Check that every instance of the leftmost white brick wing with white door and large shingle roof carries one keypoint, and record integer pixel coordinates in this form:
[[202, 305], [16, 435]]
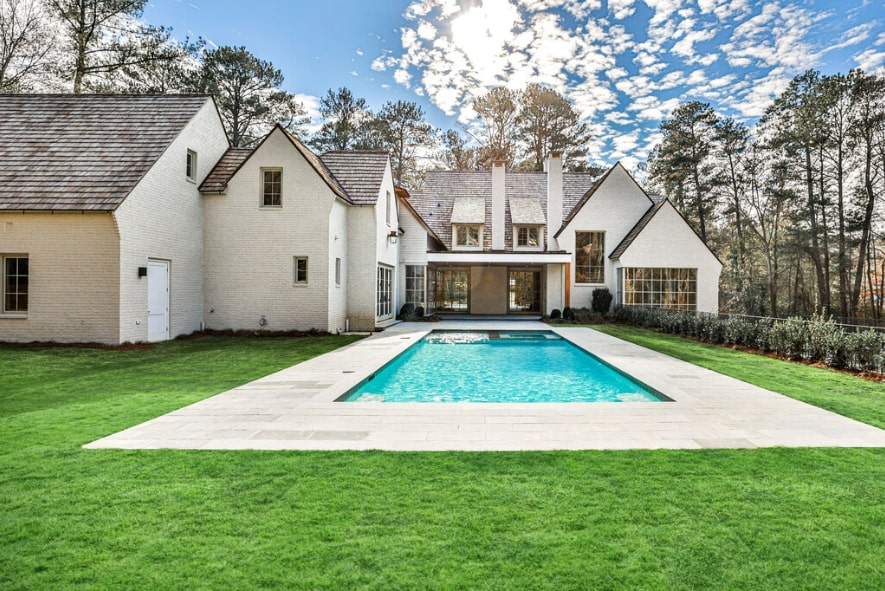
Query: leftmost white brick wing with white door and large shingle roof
[[99, 210]]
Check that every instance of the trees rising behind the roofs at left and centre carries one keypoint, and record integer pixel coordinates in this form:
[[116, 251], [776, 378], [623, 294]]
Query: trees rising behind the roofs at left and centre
[[101, 46]]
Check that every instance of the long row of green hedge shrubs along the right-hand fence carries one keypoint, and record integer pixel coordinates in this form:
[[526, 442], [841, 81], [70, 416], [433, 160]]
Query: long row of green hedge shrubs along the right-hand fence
[[815, 340]]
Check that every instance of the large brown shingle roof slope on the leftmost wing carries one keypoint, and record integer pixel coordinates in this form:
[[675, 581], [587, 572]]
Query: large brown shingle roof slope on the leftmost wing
[[84, 152]]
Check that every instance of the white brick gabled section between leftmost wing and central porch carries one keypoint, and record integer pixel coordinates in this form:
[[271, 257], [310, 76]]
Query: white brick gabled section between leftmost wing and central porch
[[294, 241]]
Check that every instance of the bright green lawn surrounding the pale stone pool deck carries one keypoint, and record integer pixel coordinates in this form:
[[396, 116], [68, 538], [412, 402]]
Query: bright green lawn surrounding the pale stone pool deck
[[106, 519]]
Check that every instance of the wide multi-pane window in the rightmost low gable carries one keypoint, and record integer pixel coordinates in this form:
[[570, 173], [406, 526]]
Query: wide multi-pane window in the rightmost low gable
[[676, 289]]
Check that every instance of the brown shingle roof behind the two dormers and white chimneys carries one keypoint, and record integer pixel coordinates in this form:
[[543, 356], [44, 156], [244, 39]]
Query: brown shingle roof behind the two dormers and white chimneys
[[434, 201]]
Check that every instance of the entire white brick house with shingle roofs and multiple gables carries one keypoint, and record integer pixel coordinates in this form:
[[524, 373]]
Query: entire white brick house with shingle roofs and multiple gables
[[130, 218]]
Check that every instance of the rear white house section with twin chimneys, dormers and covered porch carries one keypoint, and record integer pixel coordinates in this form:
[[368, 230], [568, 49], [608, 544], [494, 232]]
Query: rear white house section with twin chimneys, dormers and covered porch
[[528, 243]]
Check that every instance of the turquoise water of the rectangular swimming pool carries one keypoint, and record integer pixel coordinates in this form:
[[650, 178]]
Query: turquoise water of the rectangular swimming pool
[[513, 366]]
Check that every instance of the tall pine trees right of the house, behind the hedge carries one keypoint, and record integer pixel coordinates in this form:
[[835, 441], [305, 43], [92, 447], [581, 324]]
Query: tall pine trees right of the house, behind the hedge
[[792, 206]]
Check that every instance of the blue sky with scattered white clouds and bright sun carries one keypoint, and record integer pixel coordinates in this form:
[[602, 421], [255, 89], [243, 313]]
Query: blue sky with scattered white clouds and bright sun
[[625, 64]]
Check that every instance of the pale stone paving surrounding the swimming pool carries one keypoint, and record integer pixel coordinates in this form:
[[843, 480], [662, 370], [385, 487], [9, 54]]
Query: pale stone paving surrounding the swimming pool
[[295, 409]]
